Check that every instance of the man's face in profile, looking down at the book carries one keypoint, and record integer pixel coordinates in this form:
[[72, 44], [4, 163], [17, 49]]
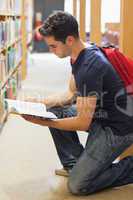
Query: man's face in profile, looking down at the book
[[57, 47]]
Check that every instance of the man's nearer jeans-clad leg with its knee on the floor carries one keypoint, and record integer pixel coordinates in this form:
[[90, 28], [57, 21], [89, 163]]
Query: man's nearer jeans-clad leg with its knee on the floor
[[94, 170]]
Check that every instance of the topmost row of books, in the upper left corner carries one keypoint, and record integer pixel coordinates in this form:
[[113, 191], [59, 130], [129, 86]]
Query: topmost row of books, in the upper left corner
[[11, 6]]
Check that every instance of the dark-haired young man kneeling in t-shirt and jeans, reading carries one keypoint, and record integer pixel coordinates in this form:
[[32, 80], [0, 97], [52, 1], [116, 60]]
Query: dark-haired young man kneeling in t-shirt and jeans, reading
[[100, 109]]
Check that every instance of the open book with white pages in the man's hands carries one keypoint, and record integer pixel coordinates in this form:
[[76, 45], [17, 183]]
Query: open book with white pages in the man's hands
[[28, 108]]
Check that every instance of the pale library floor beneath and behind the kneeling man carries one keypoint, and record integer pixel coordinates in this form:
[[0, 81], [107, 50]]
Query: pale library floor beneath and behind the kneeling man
[[27, 154]]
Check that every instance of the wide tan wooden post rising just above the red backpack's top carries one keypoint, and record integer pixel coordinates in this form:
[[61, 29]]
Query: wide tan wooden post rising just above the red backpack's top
[[95, 25]]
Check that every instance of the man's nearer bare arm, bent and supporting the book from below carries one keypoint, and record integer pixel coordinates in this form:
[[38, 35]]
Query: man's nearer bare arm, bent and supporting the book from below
[[85, 111]]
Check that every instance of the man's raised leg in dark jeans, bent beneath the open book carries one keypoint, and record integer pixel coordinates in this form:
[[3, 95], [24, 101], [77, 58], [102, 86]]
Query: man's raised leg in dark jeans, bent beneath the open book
[[67, 143]]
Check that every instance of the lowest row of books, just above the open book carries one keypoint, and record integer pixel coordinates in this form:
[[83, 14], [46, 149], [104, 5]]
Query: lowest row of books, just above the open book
[[9, 91]]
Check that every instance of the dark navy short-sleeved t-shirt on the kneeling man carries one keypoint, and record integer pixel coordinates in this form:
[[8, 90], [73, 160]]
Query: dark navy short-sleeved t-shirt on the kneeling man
[[94, 75]]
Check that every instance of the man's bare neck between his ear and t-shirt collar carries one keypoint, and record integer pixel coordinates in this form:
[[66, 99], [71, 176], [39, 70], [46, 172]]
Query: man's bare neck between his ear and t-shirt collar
[[77, 48]]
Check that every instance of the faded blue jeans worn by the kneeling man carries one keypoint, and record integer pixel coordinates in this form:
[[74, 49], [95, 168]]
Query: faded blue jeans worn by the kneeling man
[[92, 167]]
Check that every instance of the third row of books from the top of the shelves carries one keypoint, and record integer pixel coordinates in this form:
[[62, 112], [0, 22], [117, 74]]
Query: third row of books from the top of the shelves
[[9, 61]]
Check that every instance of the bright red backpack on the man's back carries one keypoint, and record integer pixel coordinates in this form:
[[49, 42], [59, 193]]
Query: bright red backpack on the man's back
[[122, 64]]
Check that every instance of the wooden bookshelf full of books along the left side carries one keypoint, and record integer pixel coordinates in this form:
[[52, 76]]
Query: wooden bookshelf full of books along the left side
[[13, 48]]
